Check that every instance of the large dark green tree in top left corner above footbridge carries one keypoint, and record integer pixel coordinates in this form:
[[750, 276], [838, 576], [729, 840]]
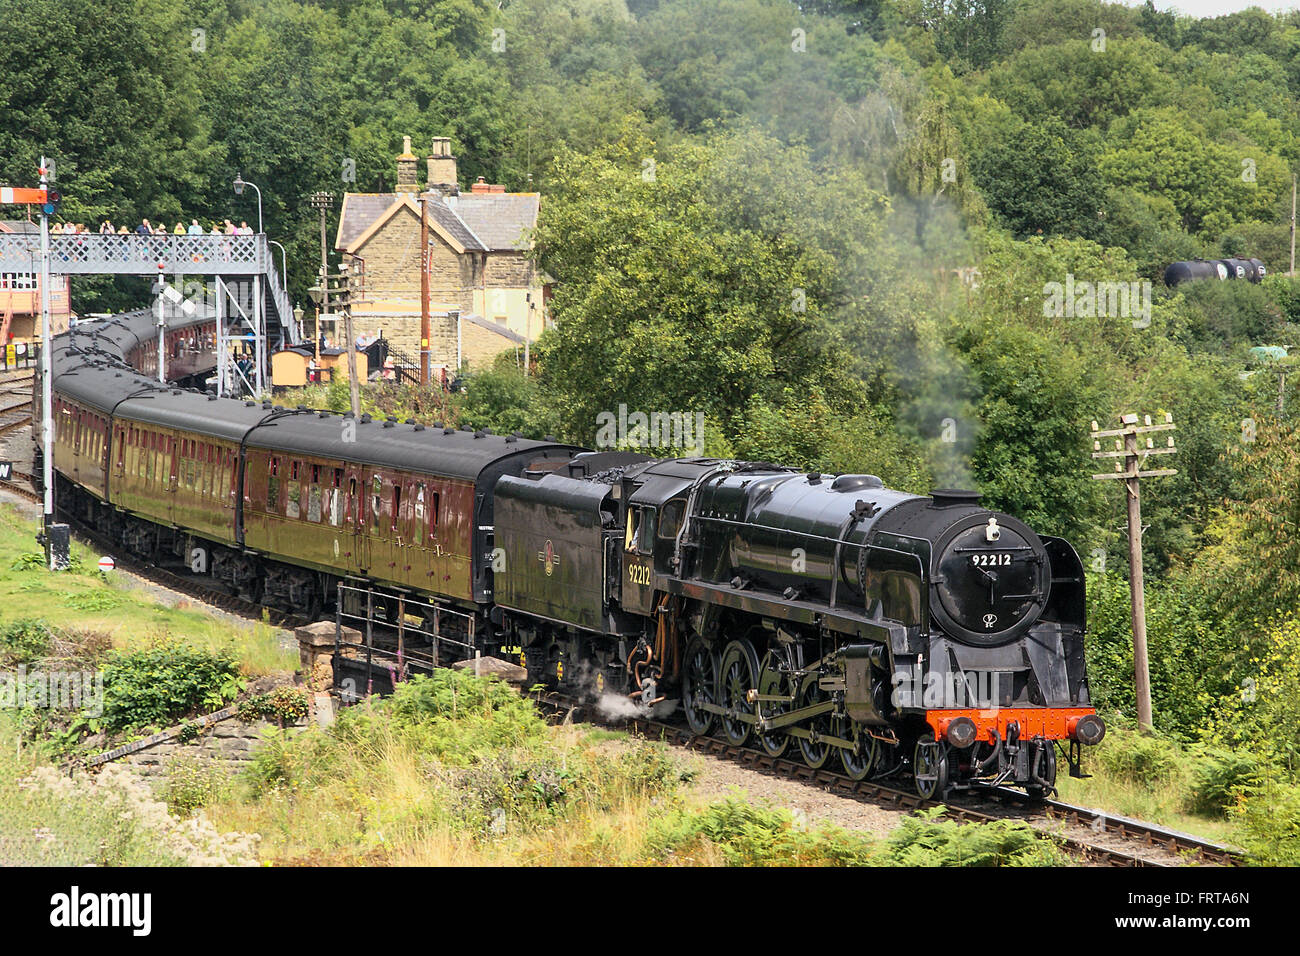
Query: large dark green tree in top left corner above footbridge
[[125, 140]]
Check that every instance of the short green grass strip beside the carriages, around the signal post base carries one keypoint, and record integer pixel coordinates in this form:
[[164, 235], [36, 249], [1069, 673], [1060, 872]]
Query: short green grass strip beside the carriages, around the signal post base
[[85, 599]]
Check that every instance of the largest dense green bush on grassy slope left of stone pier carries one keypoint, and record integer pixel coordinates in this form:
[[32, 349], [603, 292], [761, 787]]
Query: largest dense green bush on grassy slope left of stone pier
[[159, 686]]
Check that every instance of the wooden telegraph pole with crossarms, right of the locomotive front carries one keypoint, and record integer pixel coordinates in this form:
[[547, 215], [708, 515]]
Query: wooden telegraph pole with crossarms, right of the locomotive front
[[1129, 442]]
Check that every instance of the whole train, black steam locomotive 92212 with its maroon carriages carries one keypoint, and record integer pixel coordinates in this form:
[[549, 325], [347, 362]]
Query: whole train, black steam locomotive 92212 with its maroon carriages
[[816, 615]]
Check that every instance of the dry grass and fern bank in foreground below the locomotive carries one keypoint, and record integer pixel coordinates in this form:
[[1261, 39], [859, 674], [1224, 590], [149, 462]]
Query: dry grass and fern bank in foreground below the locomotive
[[458, 771]]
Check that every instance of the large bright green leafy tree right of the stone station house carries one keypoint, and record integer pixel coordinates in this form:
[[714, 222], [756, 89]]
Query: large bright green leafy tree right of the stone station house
[[699, 280]]
